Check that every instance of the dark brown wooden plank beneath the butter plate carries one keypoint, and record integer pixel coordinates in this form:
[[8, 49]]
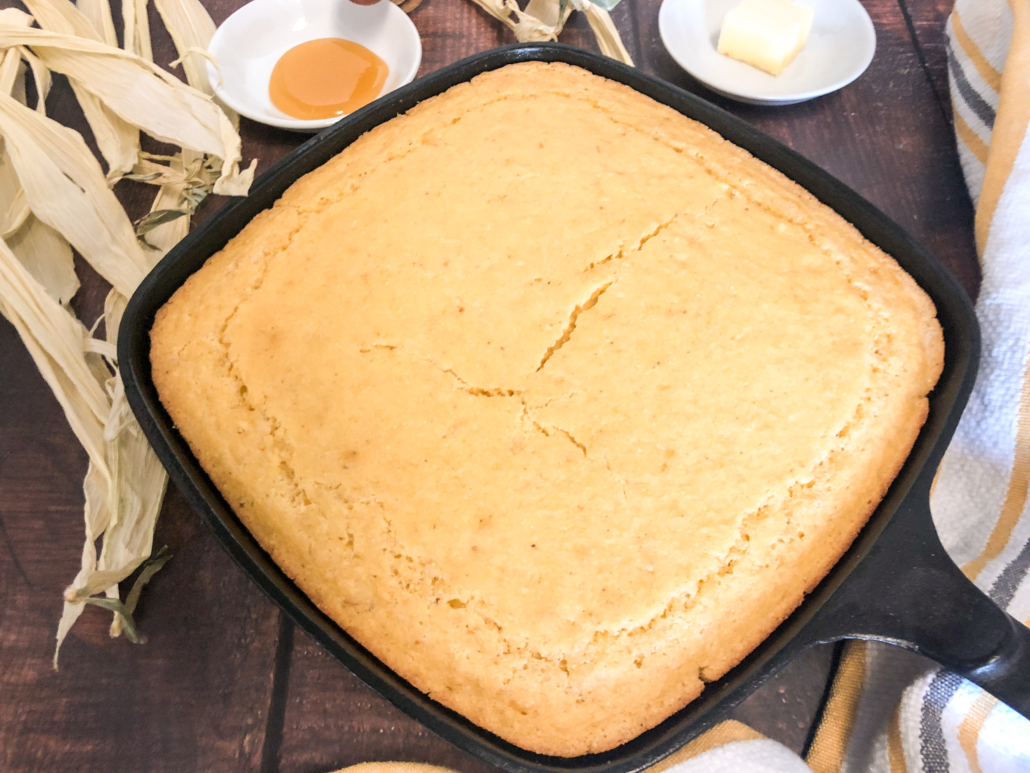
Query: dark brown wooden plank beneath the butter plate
[[884, 136]]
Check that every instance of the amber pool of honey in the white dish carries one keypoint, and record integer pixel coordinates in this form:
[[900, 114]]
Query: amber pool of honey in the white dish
[[326, 78]]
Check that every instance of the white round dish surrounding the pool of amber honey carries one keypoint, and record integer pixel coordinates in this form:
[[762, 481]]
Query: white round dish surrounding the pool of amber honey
[[251, 42]]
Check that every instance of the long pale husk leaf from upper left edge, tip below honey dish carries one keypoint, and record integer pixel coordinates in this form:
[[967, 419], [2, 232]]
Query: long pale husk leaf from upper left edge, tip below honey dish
[[163, 107]]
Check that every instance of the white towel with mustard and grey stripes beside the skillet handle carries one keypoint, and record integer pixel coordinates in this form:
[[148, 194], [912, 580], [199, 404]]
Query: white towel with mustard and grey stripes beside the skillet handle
[[891, 712]]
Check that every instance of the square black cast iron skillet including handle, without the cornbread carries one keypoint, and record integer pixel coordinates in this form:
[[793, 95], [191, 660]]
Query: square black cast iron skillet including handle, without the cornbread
[[896, 584]]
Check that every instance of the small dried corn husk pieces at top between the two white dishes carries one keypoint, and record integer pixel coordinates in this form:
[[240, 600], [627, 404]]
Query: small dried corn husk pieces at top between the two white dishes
[[544, 20]]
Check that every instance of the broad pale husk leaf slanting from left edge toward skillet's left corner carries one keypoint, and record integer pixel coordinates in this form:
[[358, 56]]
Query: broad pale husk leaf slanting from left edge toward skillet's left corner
[[66, 190]]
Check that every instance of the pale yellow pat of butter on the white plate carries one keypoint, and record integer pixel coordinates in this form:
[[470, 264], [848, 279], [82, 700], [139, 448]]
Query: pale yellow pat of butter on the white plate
[[767, 35]]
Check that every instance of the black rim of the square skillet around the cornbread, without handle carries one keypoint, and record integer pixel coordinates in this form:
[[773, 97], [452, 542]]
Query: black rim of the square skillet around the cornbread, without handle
[[954, 311]]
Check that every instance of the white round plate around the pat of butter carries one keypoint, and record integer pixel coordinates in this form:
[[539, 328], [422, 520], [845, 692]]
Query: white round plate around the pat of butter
[[839, 50]]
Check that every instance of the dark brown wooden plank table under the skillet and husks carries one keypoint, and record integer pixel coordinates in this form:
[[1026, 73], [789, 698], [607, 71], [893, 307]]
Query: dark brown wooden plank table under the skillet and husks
[[226, 683]]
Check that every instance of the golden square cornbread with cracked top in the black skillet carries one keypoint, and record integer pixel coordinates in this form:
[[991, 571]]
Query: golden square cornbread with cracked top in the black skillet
[[553, 398]]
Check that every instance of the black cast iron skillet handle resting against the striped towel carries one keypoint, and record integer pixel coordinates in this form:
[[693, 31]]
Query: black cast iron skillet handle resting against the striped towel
[[908, 592]]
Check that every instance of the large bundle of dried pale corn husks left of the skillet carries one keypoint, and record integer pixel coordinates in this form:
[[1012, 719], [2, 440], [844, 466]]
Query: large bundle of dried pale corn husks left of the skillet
[[53, 193]]
